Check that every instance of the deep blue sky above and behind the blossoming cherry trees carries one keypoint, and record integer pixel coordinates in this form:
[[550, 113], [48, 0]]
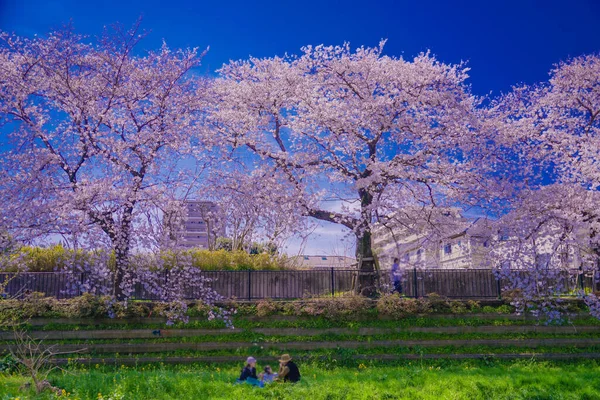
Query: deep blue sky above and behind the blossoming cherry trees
[[504, 42]]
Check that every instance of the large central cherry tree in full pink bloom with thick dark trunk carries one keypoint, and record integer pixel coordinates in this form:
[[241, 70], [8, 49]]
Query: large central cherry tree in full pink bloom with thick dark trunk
[[354, 126]]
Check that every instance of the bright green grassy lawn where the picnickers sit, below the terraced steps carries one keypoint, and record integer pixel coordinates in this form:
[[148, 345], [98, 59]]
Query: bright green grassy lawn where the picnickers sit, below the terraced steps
[[442, 379]]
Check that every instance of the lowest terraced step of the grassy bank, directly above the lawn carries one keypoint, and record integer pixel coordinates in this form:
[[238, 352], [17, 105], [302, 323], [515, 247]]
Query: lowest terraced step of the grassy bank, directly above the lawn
[[380, 357]]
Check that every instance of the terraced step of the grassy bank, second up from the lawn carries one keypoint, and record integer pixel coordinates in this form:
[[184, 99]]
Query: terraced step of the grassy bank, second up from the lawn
[[132, 348]]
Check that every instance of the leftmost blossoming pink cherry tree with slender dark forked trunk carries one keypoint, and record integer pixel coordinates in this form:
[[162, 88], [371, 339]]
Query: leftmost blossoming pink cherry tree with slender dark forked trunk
[[96, 134]]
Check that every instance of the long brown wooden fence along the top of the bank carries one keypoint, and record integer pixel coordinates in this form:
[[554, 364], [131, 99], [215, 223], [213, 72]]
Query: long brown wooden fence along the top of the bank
[[292, 284]]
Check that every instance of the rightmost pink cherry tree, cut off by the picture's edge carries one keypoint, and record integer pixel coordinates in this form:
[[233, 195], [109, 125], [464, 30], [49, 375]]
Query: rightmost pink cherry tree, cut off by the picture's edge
[[554, 129]]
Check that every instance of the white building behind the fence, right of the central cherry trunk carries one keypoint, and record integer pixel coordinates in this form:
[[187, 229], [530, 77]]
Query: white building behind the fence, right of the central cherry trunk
[[466, 243]]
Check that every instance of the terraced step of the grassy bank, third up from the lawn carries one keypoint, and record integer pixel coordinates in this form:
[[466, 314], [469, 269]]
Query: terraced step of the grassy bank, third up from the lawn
[[365, 331]]
